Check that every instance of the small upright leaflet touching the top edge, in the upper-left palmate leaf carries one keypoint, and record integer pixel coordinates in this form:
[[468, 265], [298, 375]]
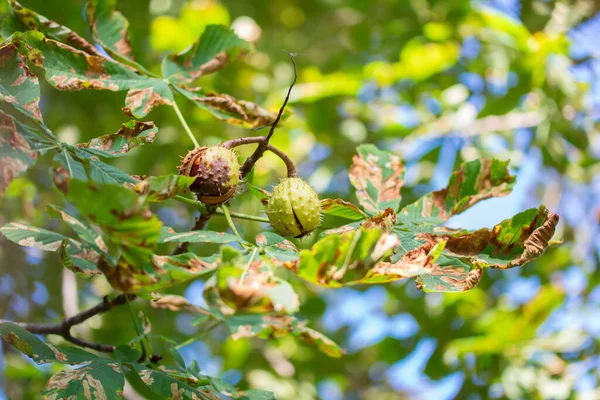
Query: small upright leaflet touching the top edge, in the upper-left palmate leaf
[[109, 27]]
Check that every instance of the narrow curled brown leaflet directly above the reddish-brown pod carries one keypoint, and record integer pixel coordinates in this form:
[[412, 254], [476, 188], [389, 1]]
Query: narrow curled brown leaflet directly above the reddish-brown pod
[[228, 108]]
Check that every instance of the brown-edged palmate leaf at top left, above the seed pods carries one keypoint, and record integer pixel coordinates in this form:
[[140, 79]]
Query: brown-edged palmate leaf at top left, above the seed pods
[[70, 63]]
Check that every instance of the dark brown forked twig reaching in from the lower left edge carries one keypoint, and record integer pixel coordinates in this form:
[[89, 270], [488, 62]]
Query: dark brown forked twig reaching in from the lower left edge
[[64, 328]]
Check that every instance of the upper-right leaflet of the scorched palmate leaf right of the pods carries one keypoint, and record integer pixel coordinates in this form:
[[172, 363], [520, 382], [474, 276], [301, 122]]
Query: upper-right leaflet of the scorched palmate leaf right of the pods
[[475, 181]]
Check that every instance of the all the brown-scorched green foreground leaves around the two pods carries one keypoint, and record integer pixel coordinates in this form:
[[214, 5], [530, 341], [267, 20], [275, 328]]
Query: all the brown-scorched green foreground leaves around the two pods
[[118, 235]]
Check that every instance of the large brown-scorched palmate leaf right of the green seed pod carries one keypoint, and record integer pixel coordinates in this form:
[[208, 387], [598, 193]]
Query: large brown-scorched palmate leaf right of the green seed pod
[[412, 244]]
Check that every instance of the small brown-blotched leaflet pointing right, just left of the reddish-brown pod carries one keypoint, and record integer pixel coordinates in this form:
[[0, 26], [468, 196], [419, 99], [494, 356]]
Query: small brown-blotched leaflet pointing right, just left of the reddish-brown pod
[[131, 135]]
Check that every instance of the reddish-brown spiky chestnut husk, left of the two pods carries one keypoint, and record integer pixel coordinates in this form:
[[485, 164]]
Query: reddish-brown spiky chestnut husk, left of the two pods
[[217, 173]]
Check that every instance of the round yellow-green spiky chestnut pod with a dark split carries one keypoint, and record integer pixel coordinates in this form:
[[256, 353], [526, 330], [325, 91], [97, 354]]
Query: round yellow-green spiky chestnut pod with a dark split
[[294, 209]]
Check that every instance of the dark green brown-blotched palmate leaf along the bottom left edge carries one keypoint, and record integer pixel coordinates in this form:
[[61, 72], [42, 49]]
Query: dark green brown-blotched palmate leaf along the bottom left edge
[[104, 378]]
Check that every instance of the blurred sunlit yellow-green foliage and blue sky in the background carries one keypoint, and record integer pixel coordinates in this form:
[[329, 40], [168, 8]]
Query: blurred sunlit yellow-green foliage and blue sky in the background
[[438, 83]]
